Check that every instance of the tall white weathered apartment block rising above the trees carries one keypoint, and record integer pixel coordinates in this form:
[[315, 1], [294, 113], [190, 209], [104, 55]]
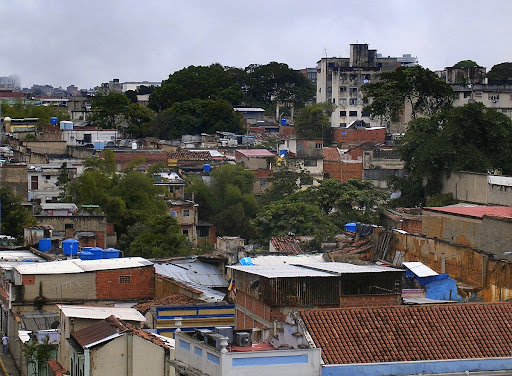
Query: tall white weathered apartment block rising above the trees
[[339, 81]]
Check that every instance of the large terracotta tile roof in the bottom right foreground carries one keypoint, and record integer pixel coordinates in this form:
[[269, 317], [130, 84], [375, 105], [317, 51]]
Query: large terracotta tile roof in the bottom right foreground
[[404, 333]]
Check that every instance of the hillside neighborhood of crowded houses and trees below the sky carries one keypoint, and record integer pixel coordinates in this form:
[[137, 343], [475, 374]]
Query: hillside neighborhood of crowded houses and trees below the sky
[[352, 218]]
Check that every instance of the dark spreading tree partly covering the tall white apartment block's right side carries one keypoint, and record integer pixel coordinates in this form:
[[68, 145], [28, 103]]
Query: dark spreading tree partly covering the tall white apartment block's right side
[[415, 86]]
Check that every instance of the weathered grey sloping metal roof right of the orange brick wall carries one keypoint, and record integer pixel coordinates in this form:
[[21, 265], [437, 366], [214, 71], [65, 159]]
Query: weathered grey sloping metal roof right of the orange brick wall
[[197, 272]]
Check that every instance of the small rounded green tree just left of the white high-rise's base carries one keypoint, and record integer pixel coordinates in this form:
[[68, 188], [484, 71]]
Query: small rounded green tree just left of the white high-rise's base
[[313, 123]]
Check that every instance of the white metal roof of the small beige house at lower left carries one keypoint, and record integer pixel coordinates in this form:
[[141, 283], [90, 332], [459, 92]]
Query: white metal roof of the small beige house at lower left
[[100, 313]]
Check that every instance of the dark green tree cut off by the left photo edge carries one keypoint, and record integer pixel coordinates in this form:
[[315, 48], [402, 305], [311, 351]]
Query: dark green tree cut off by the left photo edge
[[14, 216]]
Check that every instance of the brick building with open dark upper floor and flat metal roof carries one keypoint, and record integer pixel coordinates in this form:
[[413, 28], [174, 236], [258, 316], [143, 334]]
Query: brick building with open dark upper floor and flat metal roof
[[265, 294]]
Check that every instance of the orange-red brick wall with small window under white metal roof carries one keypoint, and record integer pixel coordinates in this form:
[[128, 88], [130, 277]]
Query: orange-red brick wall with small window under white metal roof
[[134, 283]]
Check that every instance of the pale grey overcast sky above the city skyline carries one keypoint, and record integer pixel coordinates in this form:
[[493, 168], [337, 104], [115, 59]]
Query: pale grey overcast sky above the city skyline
[[85, 43]]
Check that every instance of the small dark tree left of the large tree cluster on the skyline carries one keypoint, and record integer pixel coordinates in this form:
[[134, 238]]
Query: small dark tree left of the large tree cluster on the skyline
[[109, 110]]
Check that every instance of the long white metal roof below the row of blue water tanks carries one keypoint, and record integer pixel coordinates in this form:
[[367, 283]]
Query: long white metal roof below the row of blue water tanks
[[80, 266]]
